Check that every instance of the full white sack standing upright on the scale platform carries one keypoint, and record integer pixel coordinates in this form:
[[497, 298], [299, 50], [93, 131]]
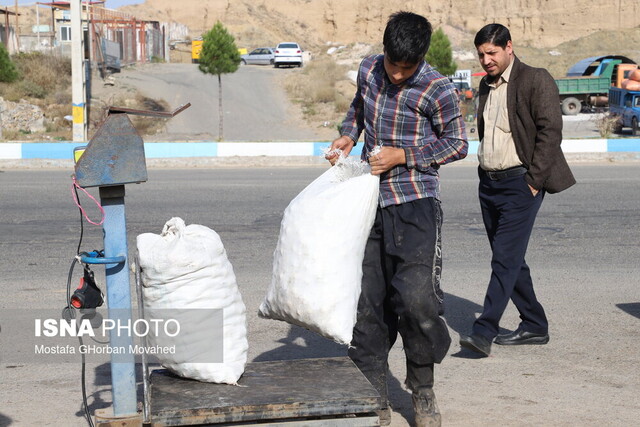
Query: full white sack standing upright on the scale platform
[[186, 267]]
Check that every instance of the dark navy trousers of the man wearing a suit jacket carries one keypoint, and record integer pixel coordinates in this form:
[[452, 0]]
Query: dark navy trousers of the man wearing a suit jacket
[[509, 211]]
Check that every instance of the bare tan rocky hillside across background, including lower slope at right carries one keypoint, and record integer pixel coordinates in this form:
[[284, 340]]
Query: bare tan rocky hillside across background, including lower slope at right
[[549, 33]]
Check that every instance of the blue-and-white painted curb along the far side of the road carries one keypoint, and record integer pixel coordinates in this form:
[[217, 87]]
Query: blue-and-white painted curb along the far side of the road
[[47, 155]]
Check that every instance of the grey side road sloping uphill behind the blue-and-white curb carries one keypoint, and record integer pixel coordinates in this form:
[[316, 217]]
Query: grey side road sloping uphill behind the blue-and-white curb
[[255, 106]]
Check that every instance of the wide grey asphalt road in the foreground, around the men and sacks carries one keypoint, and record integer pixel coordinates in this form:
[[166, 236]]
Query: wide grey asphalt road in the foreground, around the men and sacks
[[583, 255]]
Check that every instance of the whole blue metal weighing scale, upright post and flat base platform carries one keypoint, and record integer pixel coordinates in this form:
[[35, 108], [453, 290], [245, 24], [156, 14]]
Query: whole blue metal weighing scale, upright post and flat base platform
[[309, 392]]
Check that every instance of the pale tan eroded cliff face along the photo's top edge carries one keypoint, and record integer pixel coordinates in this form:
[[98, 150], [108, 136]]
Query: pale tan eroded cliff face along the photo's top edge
[[538, 23]]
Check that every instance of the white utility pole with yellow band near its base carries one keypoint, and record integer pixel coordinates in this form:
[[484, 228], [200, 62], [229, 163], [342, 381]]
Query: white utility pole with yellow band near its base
[[78, 77]]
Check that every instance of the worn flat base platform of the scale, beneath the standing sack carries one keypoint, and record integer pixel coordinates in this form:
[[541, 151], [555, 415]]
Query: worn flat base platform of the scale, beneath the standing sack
[[309, 392]]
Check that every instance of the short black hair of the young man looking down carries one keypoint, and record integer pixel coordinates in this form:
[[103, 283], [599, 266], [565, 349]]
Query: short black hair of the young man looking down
[[406, 37]]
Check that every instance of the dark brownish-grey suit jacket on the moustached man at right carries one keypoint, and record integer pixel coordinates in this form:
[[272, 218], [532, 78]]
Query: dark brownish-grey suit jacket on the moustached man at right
[[535, 119]]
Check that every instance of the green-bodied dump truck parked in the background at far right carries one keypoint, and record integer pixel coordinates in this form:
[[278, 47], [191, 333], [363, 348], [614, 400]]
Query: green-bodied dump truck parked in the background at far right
[[588, 81]]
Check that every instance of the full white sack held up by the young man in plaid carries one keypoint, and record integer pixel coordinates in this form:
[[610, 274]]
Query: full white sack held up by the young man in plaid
[[317, 266]]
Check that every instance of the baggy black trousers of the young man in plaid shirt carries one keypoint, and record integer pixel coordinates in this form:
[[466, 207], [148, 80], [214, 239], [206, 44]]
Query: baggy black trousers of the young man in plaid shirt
[[401, 293]]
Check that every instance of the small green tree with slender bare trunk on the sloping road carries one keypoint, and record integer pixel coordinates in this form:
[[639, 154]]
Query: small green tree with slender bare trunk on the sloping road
[[219, 56]]
